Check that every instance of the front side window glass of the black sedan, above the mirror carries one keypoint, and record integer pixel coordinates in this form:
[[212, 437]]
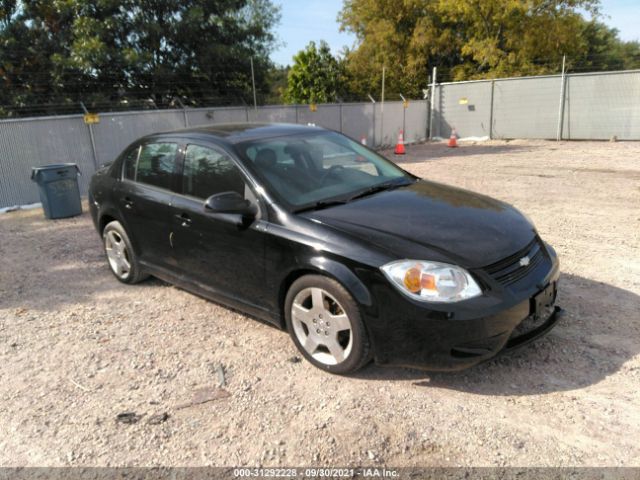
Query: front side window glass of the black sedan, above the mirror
[[208, 171]]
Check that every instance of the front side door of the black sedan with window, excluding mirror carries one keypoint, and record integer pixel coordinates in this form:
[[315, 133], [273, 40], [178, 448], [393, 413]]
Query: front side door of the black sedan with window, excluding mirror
[[219, 255]]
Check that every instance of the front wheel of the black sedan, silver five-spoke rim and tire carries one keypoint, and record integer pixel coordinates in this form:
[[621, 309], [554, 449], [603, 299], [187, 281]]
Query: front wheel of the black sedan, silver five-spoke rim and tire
[[325, 325]]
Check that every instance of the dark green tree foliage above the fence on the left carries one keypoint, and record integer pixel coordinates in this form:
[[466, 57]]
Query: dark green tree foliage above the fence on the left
[[132, 53]]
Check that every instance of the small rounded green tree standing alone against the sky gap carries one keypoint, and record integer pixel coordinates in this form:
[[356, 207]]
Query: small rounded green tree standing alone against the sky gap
[[315, 77]]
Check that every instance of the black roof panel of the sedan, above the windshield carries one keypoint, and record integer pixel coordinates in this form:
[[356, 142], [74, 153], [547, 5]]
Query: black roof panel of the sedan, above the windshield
[[233, 133]]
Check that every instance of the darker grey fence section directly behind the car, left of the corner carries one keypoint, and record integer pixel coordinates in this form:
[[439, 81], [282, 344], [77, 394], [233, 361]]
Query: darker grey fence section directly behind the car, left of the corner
[[26, 143]]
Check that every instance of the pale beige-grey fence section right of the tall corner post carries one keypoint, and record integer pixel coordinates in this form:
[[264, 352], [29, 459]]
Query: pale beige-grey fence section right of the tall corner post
[[582, 106]]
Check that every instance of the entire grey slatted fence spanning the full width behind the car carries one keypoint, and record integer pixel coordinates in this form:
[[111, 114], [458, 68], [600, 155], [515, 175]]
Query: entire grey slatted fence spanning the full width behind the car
[[596, 106]]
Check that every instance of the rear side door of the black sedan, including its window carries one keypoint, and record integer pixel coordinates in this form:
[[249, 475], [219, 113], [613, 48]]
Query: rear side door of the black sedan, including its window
[[144, 196]]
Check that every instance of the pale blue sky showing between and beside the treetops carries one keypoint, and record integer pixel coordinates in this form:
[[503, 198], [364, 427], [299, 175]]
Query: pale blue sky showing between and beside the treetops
[[306, 20]]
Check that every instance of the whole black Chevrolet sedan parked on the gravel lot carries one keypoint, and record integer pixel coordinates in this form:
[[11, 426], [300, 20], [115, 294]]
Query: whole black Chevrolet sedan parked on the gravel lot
[[315, 233]]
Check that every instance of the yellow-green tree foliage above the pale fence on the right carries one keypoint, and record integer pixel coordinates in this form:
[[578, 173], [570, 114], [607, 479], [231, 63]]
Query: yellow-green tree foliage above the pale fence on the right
[[469, 39]]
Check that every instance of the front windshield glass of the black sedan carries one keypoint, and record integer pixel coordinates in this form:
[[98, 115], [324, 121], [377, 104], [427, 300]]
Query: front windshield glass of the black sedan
[[315, 168]]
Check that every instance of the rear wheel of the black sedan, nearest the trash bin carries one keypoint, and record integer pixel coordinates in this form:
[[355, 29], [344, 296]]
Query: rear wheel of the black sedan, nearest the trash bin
[[121, 258]]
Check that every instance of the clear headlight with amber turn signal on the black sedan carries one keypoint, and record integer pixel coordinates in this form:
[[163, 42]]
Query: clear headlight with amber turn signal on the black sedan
[[431, 281]]
